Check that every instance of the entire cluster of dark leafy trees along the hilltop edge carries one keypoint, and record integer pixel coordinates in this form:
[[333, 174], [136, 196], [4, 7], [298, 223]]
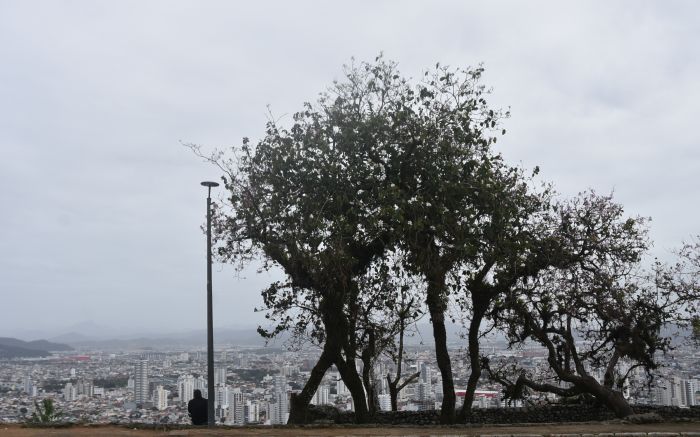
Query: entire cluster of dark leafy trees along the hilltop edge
[[385, 200]]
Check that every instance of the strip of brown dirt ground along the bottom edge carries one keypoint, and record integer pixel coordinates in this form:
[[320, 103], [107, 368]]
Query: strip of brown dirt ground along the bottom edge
[[542, 429]]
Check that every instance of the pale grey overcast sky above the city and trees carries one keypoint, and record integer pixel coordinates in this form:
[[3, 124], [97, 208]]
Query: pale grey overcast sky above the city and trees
[[101, 204]]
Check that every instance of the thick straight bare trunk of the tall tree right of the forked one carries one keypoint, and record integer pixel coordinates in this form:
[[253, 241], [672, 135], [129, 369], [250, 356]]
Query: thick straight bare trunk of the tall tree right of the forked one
[[436, 306]]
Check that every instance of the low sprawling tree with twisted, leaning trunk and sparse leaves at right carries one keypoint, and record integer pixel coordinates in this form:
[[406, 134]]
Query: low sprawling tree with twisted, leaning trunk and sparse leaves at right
[[594, 312]]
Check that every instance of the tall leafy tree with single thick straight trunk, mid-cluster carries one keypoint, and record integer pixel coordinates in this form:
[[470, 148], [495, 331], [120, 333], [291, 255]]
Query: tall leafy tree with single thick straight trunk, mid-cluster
[[450, 199]]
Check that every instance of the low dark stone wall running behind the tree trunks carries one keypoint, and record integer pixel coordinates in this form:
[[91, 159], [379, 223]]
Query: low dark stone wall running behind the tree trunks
[[538, 414]]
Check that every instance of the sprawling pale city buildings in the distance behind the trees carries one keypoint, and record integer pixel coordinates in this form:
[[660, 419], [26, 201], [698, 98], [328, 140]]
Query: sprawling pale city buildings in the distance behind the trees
[[254, 384]]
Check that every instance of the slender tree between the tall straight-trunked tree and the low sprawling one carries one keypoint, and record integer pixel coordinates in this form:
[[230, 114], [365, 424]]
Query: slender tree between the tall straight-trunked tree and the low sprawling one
[[513, 243]]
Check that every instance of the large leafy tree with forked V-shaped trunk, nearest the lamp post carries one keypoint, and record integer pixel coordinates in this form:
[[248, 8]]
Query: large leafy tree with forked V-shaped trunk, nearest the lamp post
[[318, 200]]
